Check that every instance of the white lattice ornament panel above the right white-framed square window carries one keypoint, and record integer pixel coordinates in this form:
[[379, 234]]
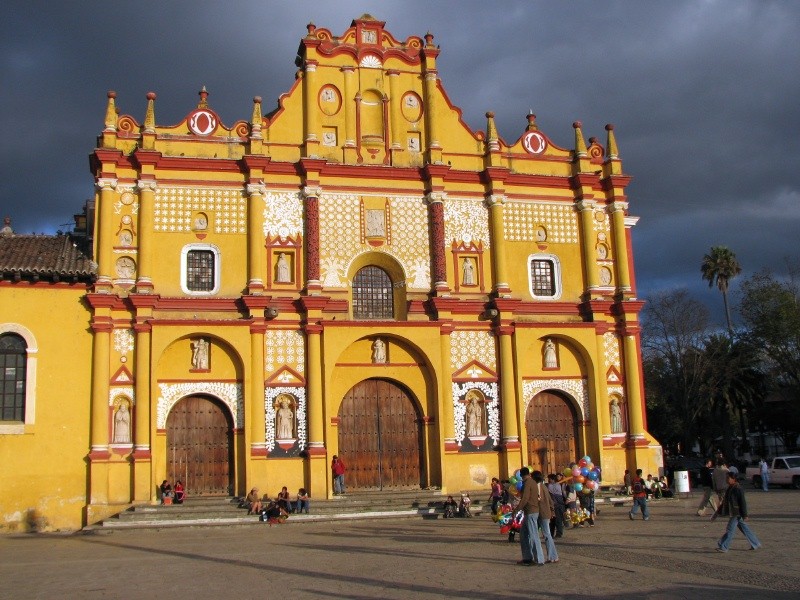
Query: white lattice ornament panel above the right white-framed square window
[[521, 220]]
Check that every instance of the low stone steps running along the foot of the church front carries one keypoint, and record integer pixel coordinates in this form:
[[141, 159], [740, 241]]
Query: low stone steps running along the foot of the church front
[[217, 511]]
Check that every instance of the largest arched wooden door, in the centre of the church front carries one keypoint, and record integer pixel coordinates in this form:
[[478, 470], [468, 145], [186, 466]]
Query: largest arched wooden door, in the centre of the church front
[[380, 440]]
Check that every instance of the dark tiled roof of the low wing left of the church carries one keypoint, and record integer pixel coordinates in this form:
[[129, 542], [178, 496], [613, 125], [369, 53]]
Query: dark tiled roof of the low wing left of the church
[[49, 257]]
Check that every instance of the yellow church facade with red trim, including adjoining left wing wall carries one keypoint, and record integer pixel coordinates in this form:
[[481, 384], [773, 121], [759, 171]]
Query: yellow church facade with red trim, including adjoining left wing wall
[[356, 273]]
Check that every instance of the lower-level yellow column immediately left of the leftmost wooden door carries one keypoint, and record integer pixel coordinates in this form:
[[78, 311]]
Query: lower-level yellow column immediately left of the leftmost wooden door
[[144, 479]]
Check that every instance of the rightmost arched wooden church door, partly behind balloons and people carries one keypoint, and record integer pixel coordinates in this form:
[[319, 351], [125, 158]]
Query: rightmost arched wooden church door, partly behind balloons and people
[[552, 429]]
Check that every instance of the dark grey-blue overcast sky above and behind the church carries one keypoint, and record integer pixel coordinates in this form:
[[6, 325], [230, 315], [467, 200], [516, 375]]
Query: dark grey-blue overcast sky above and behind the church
[[704, 96]]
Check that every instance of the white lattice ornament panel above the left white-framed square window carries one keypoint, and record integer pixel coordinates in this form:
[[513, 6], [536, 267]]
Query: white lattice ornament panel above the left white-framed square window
[[225, 207]]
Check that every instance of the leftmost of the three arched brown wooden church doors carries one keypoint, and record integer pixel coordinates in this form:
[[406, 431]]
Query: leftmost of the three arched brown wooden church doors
[[200, 446]]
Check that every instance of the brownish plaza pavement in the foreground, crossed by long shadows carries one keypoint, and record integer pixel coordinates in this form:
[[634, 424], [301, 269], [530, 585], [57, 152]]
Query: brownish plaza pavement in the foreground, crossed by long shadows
[[670, 556]]
